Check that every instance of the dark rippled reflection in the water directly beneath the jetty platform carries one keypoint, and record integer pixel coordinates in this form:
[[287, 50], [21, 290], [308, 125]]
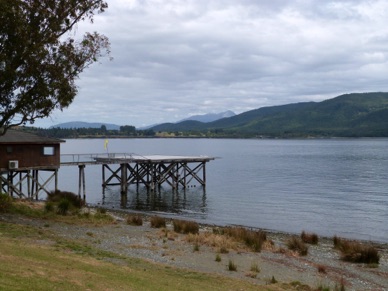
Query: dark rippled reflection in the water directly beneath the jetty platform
[[190, 201]]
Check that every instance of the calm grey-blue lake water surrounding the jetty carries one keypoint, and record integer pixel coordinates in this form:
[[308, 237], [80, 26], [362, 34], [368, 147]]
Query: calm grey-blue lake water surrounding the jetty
[[335, 186]]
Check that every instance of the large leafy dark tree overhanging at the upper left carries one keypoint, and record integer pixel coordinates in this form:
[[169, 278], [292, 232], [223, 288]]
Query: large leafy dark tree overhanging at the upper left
[[39, 60]]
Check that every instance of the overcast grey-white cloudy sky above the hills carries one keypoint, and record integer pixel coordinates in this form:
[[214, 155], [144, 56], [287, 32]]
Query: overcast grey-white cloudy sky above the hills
[[177, 58]]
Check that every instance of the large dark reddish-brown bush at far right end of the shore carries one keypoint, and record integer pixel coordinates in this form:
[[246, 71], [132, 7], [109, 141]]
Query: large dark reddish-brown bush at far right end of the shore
[[356, 252]]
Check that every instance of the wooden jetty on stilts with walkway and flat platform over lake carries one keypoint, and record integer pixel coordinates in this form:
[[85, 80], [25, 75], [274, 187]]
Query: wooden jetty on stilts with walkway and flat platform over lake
[[151, 171]]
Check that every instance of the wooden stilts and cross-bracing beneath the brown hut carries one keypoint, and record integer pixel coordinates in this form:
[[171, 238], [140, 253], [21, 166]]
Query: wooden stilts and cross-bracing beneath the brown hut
[[25, 183]]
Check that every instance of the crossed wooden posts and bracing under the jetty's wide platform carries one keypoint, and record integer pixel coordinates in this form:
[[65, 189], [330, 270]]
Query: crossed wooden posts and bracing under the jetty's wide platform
[[155, 173]]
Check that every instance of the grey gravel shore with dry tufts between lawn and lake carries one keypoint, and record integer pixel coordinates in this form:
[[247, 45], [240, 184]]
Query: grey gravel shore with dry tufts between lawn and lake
[[321, 267]]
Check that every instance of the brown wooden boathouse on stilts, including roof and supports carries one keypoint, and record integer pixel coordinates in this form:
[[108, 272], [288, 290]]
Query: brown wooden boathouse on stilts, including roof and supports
[[22, 156]]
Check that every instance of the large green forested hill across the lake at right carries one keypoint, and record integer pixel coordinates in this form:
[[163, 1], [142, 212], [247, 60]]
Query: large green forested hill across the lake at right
[[356, 114]]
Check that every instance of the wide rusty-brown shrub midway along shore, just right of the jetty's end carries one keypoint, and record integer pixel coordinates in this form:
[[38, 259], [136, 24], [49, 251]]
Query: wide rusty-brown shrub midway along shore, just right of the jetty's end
[[252, 239]]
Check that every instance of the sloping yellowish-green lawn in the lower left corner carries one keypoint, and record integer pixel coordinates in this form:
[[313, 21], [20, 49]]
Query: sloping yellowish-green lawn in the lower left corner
[[59, 264]]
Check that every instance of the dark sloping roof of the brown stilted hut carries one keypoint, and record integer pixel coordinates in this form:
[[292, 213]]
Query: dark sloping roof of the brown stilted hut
[[21, 137]]
